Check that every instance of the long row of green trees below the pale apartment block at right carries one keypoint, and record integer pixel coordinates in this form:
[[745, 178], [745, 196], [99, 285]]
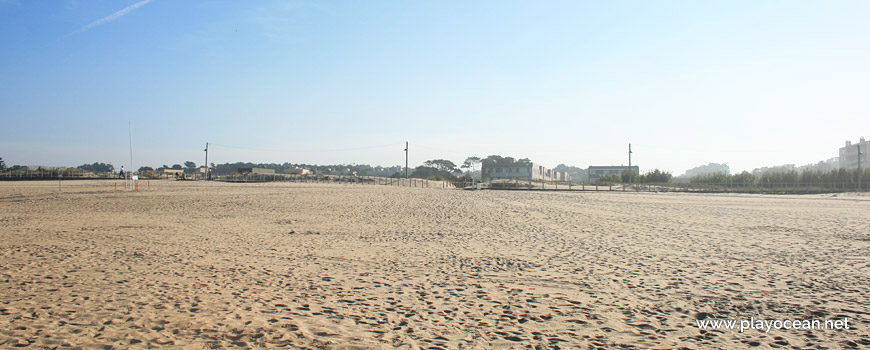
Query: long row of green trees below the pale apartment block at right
[[807, 177]]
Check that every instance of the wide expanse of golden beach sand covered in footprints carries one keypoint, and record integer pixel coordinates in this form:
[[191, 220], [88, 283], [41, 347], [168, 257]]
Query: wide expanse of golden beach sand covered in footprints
[[214, 265]]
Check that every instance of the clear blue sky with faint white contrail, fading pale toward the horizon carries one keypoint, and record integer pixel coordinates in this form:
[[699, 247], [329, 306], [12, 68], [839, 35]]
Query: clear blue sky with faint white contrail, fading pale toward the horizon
[[748, 83]]
